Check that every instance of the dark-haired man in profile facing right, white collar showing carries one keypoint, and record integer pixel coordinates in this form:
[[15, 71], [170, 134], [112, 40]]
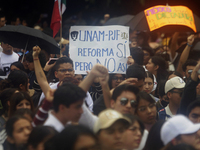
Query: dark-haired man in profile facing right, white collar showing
[[67, 102]]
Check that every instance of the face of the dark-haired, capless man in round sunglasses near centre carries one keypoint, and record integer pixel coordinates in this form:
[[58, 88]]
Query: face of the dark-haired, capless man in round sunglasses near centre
[[124, 108]]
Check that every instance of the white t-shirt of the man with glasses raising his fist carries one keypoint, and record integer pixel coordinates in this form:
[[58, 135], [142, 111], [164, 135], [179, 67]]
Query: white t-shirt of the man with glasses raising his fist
[[88, 98]]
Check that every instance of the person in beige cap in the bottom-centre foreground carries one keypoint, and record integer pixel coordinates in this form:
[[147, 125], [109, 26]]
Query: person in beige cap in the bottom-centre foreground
[[110, 129]]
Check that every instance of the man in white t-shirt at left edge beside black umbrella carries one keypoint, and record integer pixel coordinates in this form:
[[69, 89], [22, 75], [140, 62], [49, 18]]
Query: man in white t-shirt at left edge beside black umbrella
[[7, 57]]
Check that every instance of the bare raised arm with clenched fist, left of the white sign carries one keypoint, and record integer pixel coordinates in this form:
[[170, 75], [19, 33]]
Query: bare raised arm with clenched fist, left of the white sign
[[41, 78]]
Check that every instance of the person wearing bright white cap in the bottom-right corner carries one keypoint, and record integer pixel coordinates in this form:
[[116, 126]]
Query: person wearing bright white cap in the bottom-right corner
[[179, 129]]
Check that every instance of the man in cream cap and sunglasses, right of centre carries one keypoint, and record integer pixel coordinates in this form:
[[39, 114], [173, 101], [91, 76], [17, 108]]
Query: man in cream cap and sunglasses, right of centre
[[173, 89]]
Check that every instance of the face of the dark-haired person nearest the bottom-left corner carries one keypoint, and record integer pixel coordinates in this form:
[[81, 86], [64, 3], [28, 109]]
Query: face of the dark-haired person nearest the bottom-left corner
[[21, 132]]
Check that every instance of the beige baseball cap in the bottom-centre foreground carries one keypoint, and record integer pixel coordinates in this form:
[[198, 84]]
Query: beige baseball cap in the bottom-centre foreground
[[107, 118]]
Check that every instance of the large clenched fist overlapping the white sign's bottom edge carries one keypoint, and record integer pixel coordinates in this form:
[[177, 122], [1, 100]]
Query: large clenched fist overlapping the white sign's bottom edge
[[99, 71]]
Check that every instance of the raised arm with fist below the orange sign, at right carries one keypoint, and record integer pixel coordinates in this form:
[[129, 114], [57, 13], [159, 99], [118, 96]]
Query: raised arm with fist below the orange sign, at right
[[185, 53]]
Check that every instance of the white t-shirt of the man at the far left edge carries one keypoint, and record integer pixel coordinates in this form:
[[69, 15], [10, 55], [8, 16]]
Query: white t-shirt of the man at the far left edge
[[7, 60]]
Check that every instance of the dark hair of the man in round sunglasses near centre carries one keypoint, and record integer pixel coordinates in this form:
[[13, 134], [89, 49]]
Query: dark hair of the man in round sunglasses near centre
[[125, 87]]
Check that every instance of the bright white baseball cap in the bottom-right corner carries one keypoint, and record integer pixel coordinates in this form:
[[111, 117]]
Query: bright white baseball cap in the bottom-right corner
[[175, 126]]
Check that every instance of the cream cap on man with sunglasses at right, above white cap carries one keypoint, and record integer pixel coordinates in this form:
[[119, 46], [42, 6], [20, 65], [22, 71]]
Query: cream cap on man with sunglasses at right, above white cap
[[175, 82]]
